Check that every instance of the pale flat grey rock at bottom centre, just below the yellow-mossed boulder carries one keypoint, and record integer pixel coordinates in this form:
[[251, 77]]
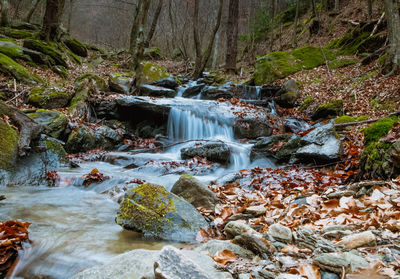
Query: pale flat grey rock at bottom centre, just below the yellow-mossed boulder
[[215, 246]]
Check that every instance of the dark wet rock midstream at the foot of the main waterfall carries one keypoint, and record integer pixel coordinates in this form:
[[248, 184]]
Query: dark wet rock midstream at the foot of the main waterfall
[[215, 152]]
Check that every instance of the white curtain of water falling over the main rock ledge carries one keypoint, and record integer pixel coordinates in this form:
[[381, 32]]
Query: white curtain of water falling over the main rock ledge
[[187, 125]]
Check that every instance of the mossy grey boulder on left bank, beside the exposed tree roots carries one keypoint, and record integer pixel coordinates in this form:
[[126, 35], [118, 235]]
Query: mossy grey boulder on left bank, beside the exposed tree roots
[[53, 122]]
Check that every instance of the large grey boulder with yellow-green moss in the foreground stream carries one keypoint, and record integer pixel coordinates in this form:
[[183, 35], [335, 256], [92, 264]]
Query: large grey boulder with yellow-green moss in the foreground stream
[[155, 212]]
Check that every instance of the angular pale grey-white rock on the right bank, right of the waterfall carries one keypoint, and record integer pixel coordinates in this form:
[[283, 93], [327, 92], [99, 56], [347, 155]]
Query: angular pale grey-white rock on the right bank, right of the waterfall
[[321, 146]]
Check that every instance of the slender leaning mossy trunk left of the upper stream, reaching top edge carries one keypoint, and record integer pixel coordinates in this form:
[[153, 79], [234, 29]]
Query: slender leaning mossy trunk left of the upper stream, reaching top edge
[[138, 40]]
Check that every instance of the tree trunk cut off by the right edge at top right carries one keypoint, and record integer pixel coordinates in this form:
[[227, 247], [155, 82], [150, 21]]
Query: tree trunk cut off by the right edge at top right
[[392, 63]]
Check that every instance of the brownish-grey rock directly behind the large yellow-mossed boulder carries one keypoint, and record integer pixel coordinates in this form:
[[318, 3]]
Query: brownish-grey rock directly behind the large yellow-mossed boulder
[[195, 192]]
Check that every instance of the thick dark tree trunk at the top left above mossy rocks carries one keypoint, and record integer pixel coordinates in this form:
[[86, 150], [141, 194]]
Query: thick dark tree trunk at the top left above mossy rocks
[[52, 19]]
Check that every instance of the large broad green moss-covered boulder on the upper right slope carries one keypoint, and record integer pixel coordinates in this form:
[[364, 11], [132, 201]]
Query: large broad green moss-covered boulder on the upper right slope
[[277, 65]]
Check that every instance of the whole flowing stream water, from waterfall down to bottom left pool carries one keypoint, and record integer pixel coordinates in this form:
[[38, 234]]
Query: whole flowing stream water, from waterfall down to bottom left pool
[[73, 227]]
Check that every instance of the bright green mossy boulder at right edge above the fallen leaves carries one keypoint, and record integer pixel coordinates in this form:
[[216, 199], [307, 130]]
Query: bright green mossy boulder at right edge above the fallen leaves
[[376, 161]]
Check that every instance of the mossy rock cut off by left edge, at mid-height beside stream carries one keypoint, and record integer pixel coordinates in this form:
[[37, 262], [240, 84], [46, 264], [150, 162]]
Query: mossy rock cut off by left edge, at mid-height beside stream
[[8, 147]]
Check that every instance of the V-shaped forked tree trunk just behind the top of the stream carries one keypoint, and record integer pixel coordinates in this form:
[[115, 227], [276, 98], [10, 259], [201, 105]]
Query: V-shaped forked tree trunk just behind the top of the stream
[[202, 59]]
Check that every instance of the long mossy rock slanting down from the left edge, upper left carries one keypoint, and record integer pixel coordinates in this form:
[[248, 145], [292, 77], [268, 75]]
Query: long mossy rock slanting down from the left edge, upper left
[[9, 67]]
